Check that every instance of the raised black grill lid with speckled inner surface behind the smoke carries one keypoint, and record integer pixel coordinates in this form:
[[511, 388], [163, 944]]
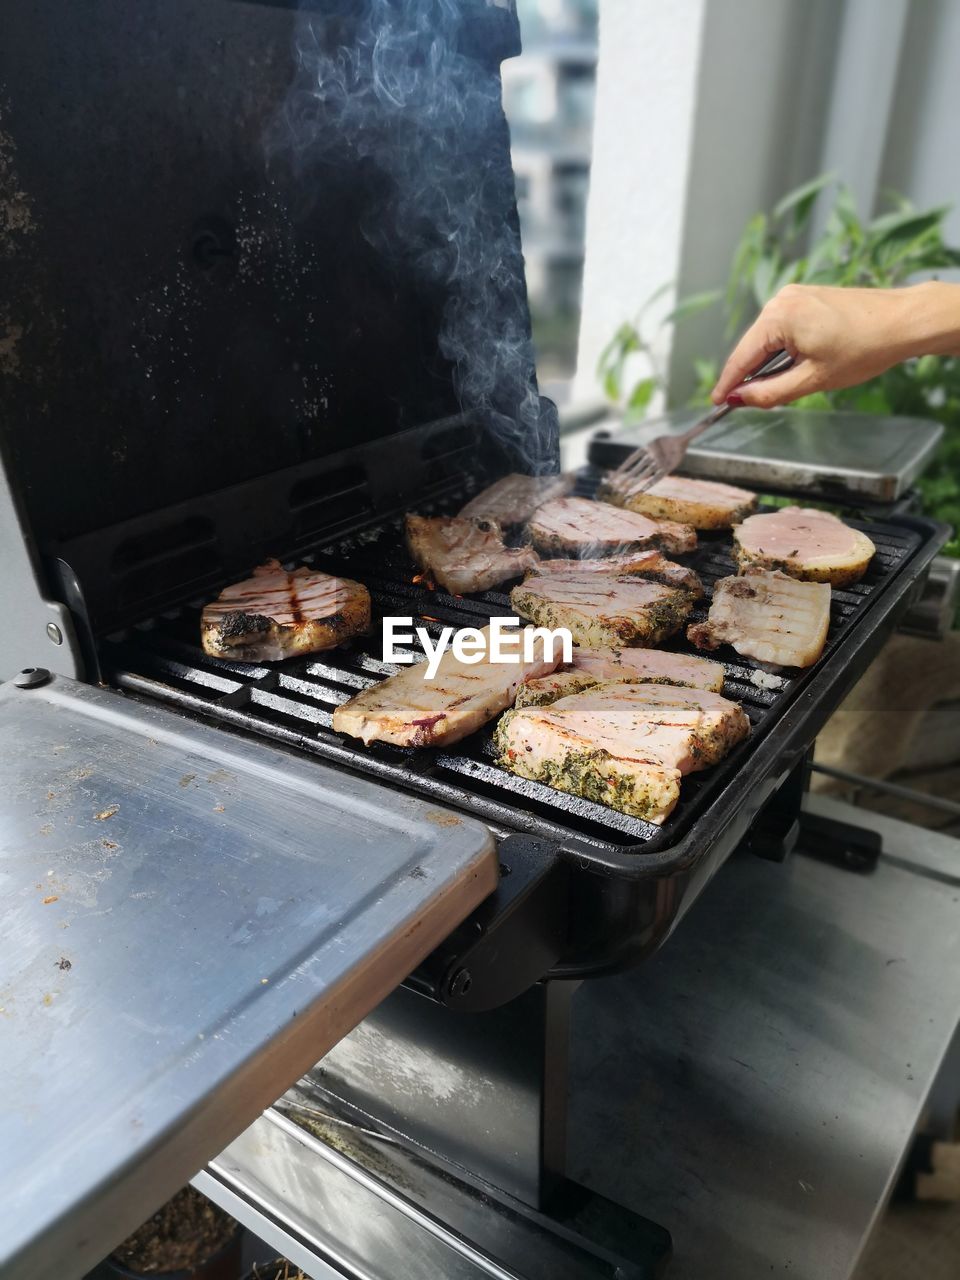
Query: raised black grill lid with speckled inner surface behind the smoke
[[237, 237]]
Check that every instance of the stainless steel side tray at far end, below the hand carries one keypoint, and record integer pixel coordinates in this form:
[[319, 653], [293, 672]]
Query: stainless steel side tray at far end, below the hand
[[858, 456]]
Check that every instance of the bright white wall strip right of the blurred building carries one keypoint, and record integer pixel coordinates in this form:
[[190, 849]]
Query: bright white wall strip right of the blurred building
[[643, 135]]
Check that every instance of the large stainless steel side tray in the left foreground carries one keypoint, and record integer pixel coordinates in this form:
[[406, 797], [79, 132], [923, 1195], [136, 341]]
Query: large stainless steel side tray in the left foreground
[[189, 924]]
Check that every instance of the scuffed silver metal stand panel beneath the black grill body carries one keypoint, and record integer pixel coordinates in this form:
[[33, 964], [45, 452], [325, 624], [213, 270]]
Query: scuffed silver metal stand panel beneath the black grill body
[[487, 1092]]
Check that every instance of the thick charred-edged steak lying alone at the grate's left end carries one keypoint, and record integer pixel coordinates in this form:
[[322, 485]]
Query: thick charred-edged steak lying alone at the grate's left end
[[276, 615]]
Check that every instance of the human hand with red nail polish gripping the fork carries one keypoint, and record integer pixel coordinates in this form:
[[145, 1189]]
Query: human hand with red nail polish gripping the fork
[[839, 339]]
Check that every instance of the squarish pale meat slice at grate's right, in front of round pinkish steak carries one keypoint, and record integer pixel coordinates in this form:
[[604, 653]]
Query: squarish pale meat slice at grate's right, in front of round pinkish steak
[[767, 616]]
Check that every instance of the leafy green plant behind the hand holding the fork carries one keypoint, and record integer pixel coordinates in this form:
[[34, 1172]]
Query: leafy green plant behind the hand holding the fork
[[775, 250]]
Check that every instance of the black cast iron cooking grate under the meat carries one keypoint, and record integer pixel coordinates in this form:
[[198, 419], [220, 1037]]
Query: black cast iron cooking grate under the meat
[[294, 702]]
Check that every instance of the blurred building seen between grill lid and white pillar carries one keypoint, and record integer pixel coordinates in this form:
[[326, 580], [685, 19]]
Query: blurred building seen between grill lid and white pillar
[[548, 97]]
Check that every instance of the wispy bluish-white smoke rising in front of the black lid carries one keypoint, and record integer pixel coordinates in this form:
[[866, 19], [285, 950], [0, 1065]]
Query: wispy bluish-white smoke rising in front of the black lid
[[395, 85]]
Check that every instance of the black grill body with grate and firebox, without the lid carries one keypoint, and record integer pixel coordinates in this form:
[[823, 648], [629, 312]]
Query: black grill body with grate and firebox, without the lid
[[625, 883]]
